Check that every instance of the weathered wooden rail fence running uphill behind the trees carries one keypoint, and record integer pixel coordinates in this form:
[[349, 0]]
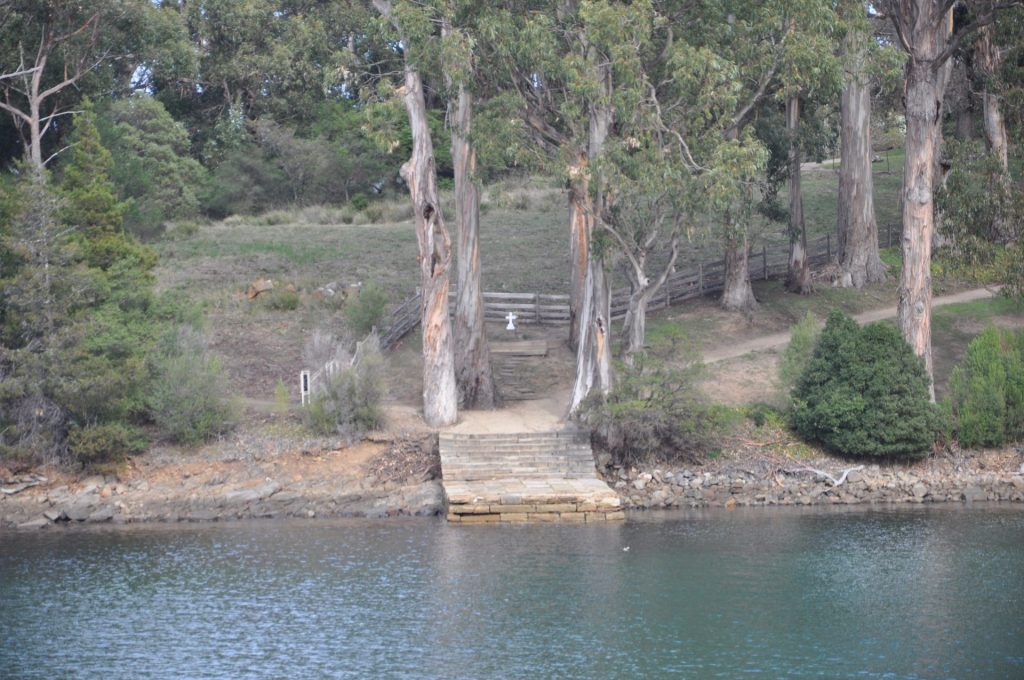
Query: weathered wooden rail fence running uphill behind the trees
[[684, 285]]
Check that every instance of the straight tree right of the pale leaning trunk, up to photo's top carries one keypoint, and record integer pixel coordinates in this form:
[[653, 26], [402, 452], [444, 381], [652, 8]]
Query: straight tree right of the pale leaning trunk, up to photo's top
[[473, 356]]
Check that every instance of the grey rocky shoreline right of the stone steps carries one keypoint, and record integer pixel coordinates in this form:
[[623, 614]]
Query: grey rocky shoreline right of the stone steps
[[765, 483]]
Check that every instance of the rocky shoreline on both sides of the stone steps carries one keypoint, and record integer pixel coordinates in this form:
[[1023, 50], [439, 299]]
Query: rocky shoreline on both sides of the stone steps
[[401, 479]]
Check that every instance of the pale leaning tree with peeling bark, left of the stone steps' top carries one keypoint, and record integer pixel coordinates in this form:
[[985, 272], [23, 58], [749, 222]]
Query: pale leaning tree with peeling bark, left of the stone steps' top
[[440, 393]]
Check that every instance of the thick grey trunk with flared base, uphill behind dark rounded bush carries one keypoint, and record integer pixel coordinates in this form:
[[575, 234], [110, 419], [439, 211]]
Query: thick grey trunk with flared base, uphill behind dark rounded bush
[[859, 231]]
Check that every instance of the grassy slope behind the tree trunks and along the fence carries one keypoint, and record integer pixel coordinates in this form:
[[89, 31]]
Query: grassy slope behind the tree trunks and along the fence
[[524, 248]]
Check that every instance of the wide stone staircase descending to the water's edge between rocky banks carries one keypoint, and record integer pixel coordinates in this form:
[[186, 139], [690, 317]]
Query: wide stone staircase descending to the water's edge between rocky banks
[[519, 478]]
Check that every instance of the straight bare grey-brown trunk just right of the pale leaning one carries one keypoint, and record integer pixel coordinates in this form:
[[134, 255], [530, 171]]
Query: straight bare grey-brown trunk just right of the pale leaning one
[[473, 356]]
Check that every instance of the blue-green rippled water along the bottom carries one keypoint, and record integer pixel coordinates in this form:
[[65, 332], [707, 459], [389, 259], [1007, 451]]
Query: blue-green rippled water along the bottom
[[865, 594]]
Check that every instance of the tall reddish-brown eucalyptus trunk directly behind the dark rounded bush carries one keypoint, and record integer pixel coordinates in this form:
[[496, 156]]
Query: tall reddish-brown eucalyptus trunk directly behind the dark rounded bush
[[926, 32]]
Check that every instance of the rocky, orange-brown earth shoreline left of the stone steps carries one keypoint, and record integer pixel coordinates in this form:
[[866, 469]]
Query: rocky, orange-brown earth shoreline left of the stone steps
[[382, 479]]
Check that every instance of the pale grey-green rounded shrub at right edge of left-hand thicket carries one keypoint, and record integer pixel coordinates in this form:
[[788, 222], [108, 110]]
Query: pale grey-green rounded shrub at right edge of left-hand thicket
[[188, 399]]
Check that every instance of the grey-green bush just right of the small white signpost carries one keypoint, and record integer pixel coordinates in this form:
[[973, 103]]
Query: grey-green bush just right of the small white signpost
[[348, 402]]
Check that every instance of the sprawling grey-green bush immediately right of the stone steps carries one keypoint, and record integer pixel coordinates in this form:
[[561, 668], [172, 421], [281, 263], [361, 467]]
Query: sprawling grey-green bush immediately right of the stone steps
[[655, 409]]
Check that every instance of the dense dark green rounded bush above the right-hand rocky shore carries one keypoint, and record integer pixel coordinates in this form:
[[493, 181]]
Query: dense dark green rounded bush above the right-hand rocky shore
[[865, 393]]
